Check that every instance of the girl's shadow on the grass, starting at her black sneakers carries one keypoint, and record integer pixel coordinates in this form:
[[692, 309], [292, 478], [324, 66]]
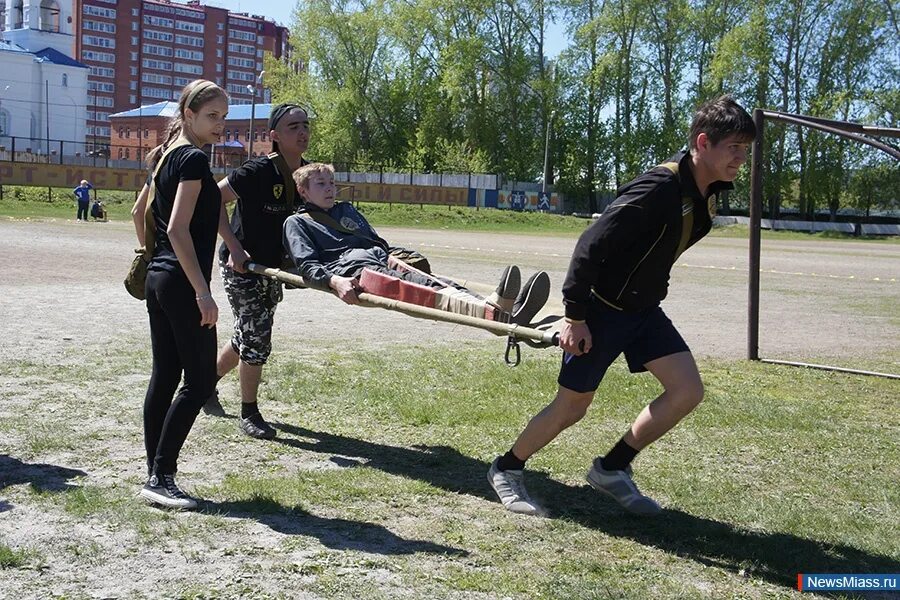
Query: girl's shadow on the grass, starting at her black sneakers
[[338, 534]]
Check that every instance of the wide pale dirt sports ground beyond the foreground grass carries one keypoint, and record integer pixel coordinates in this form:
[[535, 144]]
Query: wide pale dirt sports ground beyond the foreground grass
[[821, 300]]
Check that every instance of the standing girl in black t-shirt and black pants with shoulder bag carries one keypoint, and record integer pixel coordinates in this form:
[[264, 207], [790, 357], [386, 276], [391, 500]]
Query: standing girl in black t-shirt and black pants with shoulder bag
[[186, 208]]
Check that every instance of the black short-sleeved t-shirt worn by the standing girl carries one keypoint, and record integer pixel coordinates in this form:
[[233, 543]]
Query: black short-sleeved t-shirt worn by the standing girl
[[186, 164]]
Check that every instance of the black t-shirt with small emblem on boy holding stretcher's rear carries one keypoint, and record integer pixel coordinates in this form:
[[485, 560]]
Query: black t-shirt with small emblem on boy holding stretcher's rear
[[261, 210]]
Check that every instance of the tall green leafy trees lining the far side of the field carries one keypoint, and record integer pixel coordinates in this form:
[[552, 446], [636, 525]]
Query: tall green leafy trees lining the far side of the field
[[463, 85]]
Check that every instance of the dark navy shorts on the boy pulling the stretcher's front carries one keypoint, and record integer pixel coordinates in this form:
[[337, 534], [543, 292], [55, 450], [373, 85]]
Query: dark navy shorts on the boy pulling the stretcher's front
[[643, 336]]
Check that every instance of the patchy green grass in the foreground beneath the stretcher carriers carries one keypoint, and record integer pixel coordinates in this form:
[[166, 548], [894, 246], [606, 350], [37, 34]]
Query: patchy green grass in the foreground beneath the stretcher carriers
[[375, 487]]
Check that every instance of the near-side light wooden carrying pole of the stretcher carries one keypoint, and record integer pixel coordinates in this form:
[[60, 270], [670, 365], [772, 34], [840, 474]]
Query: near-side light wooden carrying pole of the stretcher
[[550, 338]]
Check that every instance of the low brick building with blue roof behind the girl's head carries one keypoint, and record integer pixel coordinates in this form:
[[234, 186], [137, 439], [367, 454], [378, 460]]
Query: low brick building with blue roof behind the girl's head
[[135, 132]]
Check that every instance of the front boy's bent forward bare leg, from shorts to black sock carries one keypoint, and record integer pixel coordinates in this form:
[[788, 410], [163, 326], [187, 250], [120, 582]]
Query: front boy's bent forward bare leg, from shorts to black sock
[[683, 391]]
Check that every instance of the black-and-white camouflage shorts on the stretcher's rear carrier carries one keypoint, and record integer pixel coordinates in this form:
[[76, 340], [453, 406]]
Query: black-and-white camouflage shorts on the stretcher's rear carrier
[[253, 300]]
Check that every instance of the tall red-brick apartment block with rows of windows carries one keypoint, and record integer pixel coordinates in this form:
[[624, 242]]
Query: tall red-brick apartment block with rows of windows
[[146, 51]]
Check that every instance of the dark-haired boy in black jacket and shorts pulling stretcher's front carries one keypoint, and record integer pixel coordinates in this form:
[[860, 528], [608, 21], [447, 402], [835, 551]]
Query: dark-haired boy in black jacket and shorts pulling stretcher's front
[[618, 275]]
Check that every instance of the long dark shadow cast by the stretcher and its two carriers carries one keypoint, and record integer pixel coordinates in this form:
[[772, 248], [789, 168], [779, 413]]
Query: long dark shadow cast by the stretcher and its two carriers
[[775, 557]]
